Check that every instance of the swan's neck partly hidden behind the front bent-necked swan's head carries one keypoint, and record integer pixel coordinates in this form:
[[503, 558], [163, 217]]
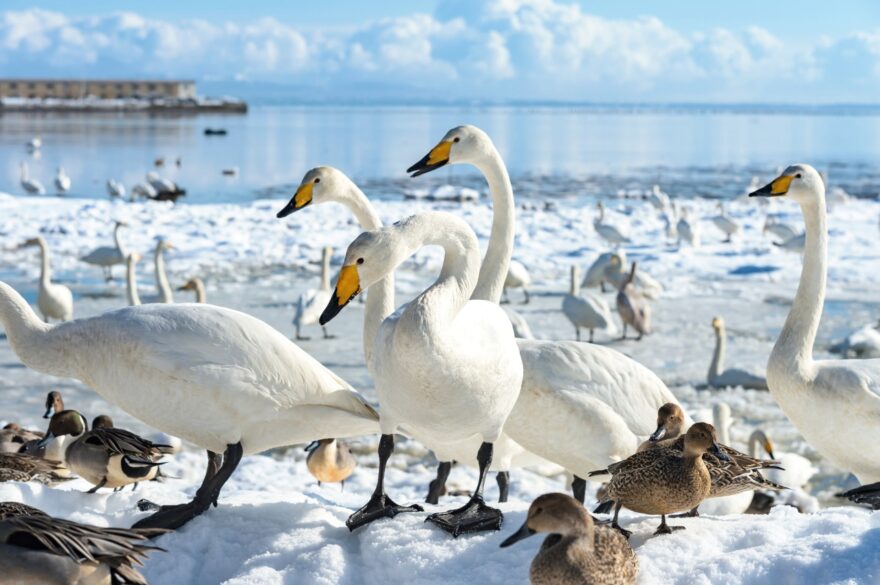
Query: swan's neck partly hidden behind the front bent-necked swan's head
[[380, 298]]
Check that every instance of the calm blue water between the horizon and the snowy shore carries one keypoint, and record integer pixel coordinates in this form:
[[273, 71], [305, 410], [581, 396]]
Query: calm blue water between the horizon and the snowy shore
[[549, 150]]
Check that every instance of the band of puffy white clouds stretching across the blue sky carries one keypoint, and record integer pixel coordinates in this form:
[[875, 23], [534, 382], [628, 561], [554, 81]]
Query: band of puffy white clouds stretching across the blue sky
[[522, 49]]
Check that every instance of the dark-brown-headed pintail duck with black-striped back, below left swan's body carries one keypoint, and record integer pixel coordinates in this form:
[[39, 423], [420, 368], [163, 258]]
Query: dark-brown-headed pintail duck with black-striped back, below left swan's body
[[105, 457]]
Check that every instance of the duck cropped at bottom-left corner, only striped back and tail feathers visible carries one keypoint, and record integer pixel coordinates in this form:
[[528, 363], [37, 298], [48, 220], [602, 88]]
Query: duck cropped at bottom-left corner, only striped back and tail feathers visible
[[36, 548]]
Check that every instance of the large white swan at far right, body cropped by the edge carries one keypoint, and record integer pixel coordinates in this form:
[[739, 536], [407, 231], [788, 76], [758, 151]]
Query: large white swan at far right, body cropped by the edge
[[834, 404]]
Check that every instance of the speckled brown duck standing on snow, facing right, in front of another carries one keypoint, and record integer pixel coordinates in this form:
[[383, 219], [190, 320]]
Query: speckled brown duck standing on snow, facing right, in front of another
[[664, 480]]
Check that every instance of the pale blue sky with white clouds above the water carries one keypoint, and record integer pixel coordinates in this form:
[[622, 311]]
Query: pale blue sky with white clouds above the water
[[458, 50]]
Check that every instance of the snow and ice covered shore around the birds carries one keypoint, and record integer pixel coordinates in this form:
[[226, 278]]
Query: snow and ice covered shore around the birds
[[275, 525]]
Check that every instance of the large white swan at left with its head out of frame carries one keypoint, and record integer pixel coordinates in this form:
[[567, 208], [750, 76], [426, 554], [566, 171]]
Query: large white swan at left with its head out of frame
[[218, 378]]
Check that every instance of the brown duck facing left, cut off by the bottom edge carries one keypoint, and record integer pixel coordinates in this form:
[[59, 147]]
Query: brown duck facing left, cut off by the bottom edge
[[575, 551]]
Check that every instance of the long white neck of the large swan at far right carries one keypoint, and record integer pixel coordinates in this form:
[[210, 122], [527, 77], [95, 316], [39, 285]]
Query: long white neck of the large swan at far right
[[794, 348]]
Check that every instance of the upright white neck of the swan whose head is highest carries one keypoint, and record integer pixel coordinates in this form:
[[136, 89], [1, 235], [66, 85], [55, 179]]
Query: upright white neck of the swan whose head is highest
[[493, 271]]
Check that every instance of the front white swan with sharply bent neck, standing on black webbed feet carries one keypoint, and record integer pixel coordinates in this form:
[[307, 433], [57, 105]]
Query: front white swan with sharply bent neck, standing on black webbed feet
[[445, 367]]
